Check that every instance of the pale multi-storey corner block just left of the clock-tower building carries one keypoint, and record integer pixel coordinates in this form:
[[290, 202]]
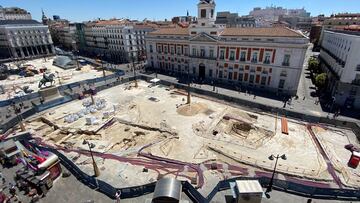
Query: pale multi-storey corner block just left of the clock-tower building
[[118, 40]]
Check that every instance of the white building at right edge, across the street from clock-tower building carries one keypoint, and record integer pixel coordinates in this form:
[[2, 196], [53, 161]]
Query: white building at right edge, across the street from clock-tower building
[[339, 55]]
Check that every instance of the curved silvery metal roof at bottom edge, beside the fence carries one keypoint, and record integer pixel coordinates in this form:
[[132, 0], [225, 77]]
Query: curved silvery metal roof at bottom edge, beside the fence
[[168, 188]]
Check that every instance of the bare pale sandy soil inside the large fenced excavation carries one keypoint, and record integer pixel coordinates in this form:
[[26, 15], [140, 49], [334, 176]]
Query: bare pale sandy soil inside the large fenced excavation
[[158, 119]]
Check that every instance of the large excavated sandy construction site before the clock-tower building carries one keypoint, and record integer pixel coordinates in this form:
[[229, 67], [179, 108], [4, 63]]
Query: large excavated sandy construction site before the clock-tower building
[[143, 133]]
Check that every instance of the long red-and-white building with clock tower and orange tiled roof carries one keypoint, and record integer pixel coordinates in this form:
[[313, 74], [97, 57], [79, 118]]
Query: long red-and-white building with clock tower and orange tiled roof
[[265, 58]]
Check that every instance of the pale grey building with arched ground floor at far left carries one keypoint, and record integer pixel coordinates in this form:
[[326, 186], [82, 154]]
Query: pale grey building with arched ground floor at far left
[[23, 39]]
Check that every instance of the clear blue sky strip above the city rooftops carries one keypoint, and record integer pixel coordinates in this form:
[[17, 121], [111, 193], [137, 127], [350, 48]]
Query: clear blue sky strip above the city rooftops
[[81, 10]]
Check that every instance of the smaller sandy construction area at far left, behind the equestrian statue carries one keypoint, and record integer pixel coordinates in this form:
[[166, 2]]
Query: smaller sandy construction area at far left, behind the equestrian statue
[[23, 77]]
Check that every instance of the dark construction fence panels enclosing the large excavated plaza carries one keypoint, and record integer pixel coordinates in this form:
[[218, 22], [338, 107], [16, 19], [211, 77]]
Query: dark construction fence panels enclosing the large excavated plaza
[[192, 193]]
